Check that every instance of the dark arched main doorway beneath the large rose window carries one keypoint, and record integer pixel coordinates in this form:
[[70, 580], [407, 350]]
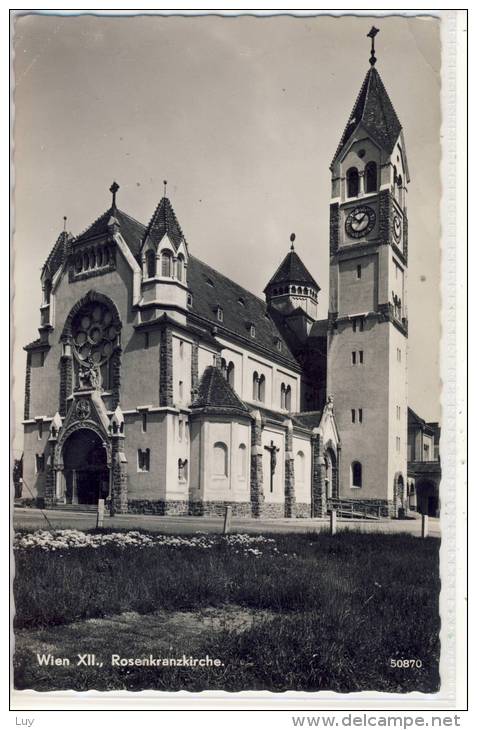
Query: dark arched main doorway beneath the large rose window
[[86, 470]]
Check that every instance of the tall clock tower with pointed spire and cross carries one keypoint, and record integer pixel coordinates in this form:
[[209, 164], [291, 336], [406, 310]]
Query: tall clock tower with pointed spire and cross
[[367, 322]]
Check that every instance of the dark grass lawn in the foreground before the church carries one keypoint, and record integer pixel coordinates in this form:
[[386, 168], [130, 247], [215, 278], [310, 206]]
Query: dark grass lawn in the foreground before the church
[[300, 612]]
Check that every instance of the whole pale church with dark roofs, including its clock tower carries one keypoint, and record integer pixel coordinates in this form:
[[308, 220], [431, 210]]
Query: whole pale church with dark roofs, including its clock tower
[[164, 387]]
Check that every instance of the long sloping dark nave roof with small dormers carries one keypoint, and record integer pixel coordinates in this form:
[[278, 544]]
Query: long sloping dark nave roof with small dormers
[[240, 308]]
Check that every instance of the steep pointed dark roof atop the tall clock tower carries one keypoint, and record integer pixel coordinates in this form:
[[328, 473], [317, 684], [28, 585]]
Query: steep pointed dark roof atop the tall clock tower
[[374, 109]]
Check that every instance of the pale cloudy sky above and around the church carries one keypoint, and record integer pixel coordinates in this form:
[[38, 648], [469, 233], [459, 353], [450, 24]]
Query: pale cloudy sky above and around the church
[[242, 116]]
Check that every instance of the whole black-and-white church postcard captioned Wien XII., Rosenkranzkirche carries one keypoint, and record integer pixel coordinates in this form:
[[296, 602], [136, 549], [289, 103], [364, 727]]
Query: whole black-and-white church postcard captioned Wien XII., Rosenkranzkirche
[[228, 424]]
